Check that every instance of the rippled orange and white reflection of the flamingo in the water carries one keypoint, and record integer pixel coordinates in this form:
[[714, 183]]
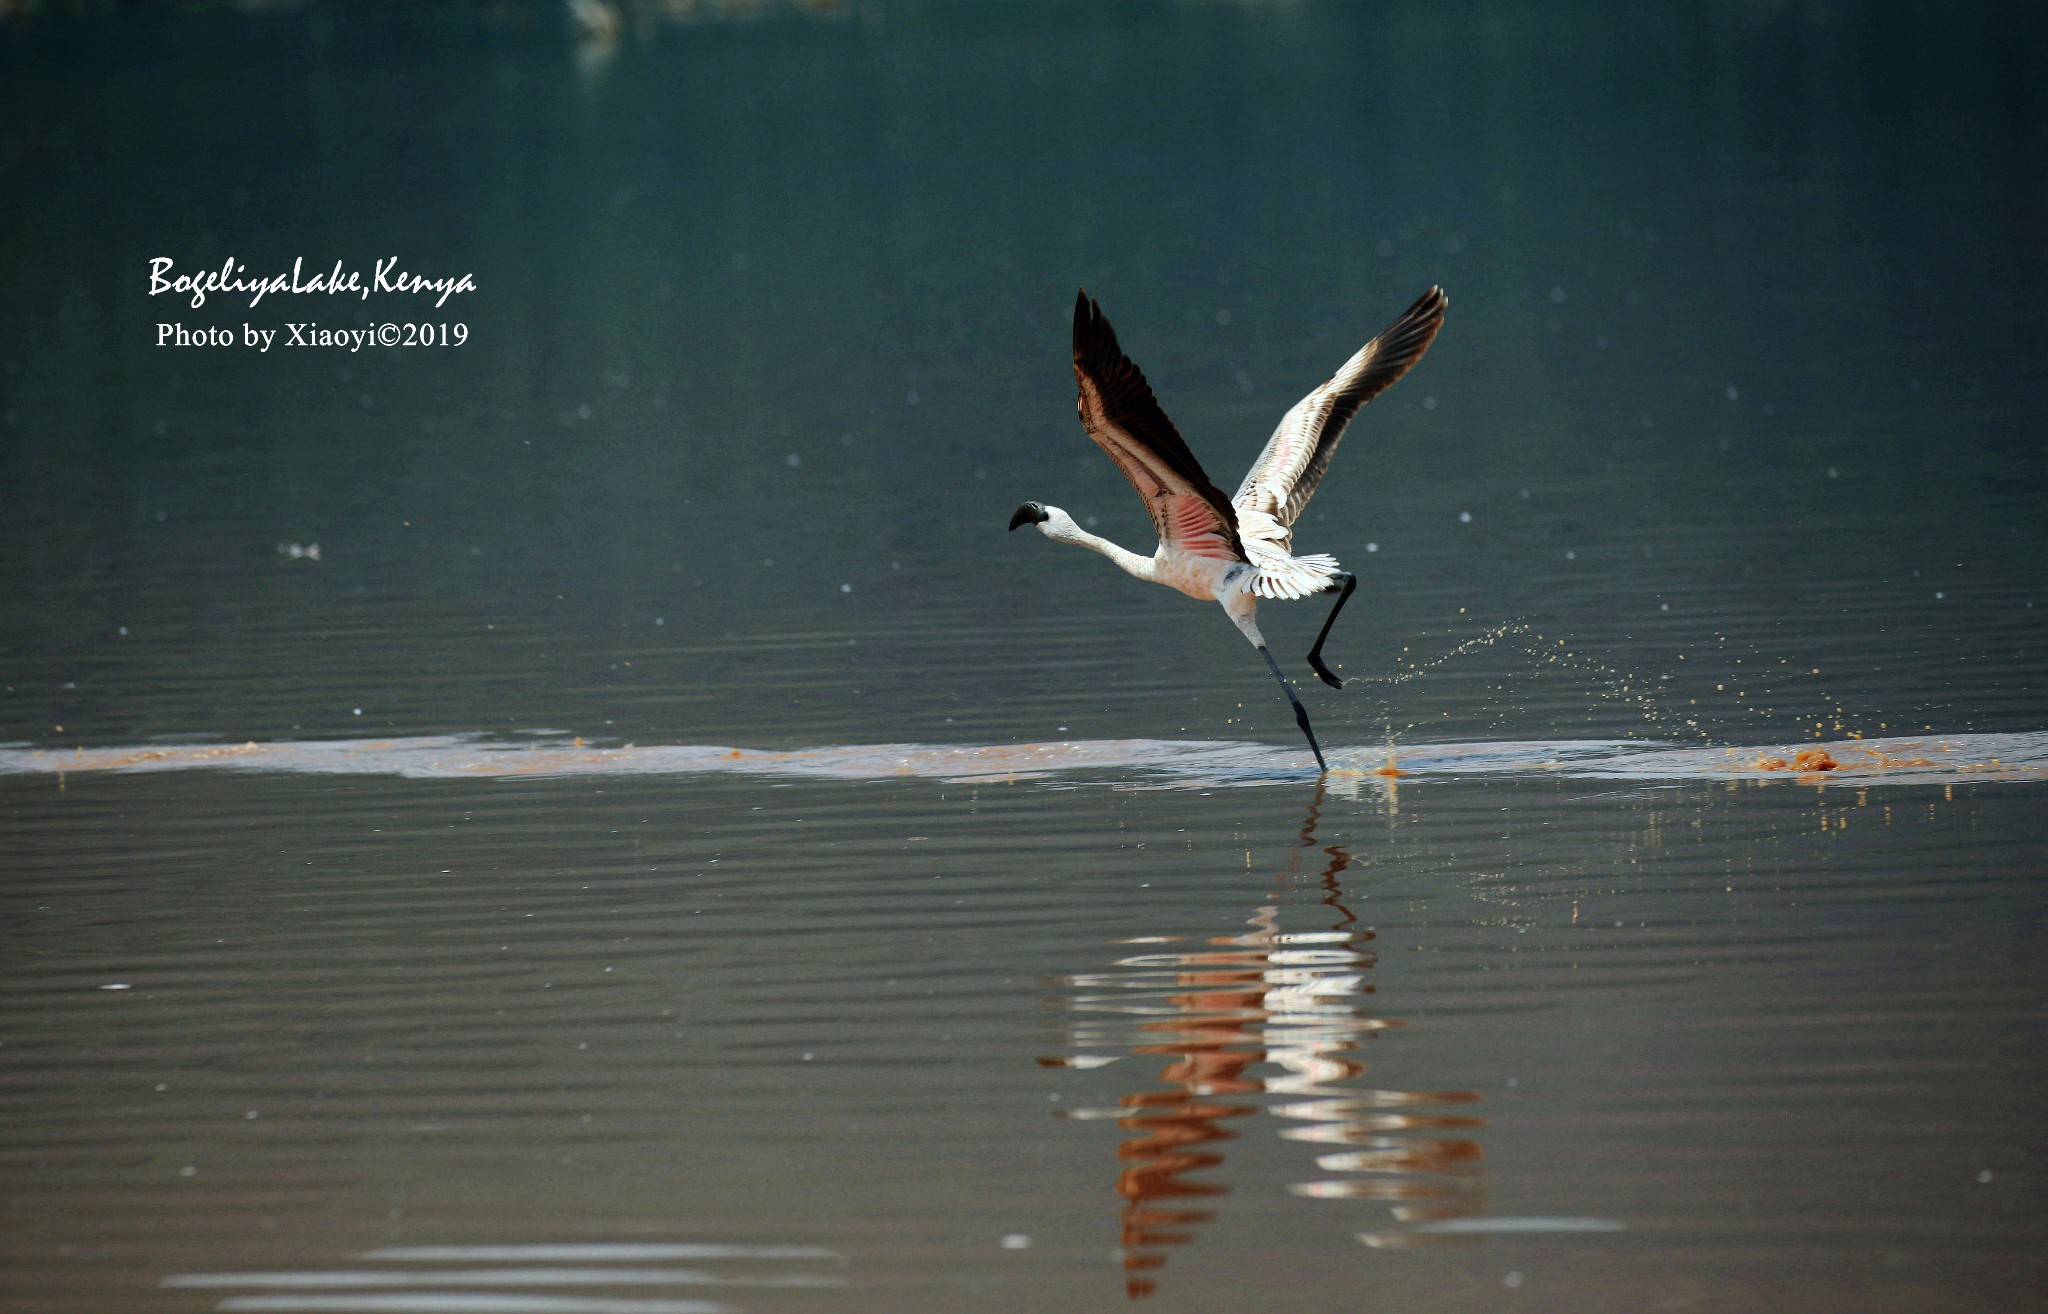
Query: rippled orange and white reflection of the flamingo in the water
[[1269, 1020]]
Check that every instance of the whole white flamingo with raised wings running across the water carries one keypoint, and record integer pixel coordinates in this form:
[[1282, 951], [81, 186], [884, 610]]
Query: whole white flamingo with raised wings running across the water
[[1213, 547]]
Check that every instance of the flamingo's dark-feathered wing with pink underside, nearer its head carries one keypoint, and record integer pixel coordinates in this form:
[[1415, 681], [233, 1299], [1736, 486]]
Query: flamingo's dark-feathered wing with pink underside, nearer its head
[[1125, 421]]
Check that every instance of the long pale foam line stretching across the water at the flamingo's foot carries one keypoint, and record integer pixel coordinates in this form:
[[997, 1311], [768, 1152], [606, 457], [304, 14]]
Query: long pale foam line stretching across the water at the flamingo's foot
[[1164, 762]]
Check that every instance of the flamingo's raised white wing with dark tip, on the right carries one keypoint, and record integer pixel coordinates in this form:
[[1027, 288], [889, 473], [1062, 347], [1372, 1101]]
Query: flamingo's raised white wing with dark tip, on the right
[[1297, 455]]
